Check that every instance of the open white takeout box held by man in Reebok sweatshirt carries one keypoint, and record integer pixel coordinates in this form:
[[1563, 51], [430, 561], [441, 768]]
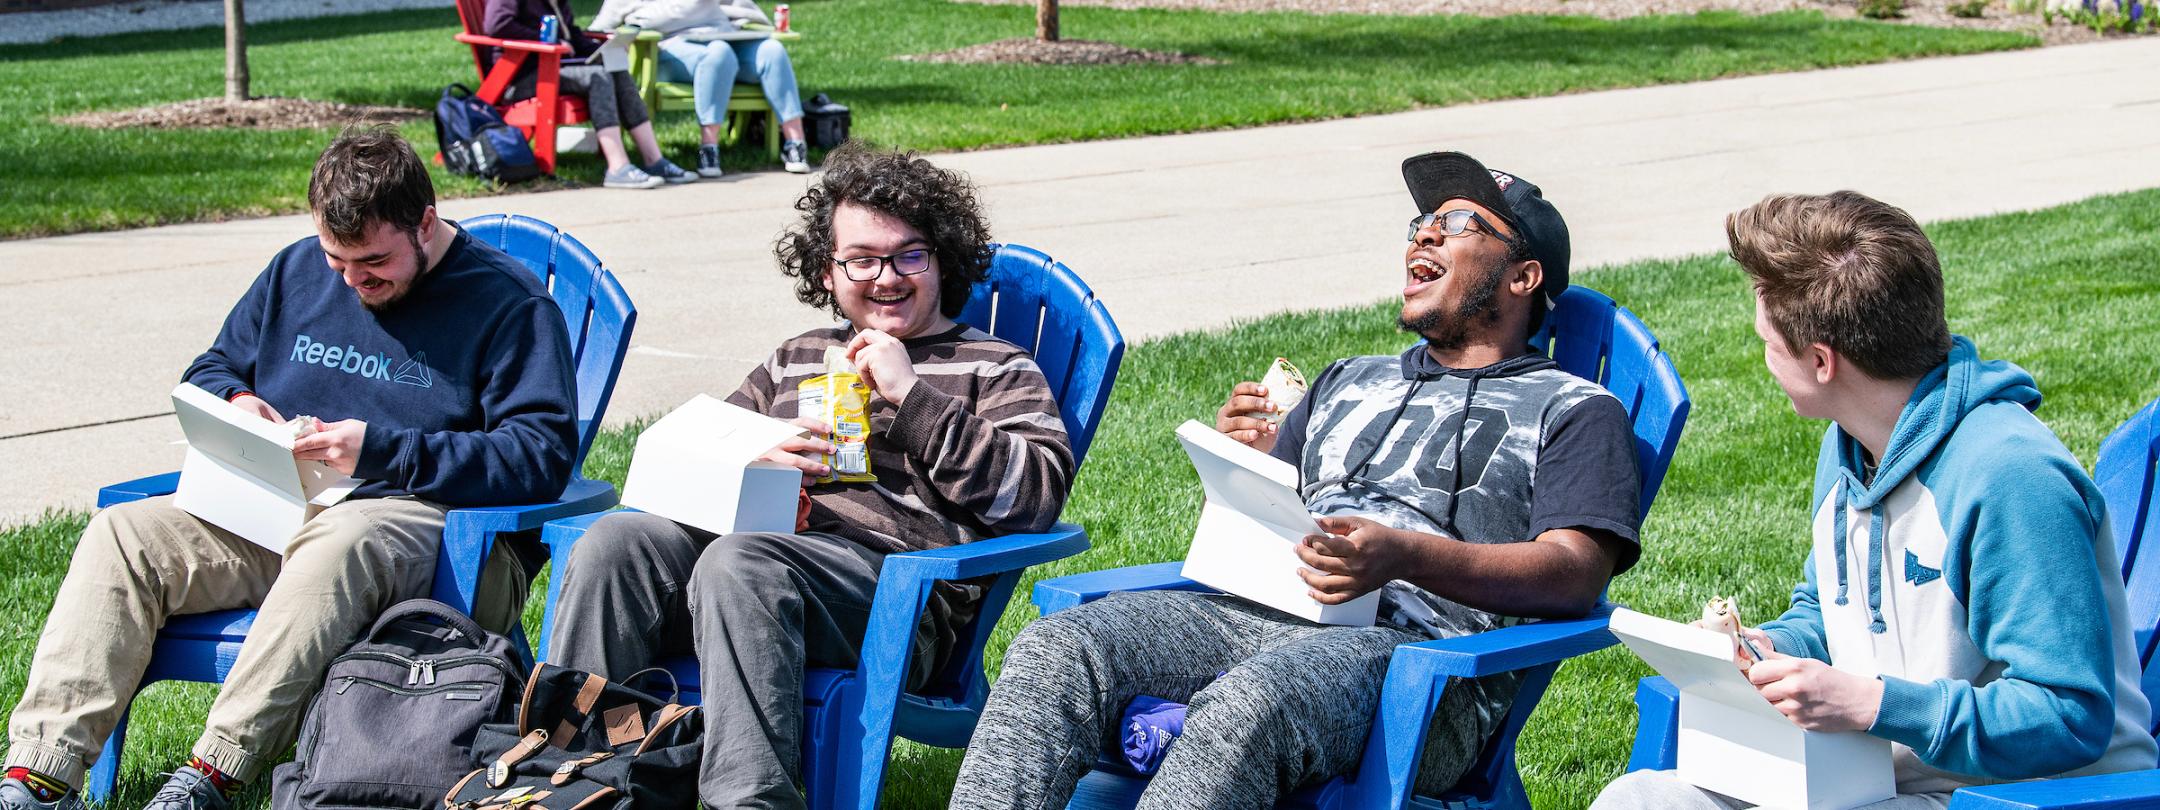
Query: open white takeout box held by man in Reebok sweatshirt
[[241, 474]]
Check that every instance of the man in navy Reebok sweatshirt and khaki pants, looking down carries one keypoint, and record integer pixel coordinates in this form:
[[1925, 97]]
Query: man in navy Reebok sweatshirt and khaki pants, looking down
[[437, 370]]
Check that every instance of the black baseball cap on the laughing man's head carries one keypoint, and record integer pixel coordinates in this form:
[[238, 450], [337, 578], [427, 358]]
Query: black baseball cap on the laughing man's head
[[1444, 176]]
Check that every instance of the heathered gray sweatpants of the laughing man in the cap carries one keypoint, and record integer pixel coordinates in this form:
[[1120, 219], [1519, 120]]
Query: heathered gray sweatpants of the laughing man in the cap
[[1293, 703]]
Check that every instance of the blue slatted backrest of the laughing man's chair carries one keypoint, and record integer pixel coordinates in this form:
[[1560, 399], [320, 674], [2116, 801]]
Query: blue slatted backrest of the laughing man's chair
[[1597, 340]]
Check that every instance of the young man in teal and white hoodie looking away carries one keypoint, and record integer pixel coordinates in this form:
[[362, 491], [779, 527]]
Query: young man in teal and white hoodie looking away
[[1962, 595]]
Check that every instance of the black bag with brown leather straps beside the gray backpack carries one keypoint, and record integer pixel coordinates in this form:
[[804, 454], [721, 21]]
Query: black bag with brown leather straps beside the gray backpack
[[586, 744]]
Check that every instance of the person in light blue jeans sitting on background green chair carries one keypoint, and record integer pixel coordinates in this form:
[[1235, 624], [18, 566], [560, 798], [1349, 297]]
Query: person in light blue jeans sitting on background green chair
[[716, 66]]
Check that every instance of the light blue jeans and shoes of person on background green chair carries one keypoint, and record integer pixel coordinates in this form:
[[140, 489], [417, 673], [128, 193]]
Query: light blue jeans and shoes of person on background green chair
[[714, 68]]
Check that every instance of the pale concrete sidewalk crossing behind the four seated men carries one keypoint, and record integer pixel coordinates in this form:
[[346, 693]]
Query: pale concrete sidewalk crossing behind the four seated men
[[1174, 232]]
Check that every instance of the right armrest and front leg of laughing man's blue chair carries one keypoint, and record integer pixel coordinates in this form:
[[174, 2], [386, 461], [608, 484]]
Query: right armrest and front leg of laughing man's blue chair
[[1418, 677]]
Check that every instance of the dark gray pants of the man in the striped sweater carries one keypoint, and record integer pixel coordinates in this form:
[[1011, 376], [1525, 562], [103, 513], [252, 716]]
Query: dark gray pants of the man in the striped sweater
[[753, 608]]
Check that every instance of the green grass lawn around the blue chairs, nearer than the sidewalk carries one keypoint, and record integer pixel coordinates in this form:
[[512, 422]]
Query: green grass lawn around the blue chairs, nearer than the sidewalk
[[2066, 293]]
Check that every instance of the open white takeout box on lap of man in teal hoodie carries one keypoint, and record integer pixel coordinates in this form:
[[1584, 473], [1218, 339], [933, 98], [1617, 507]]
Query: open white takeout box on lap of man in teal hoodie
[[1738, 744]]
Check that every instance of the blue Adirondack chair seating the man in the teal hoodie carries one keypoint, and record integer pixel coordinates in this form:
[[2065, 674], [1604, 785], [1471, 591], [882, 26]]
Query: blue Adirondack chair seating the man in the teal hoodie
[[2127, 478]]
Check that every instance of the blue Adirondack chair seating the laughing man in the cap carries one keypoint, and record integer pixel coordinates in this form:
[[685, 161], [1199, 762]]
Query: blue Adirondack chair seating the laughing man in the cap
[[1589, 336]]
